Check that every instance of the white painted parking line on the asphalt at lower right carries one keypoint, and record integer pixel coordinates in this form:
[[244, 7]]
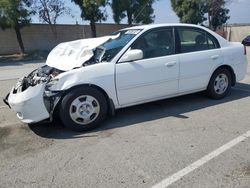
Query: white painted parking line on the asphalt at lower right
[[178, 175]]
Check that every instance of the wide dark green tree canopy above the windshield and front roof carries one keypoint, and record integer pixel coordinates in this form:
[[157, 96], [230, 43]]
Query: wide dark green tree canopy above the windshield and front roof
[[136, 11]]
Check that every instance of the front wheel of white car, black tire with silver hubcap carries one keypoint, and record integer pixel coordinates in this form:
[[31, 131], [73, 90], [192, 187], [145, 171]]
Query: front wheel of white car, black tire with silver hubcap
[[83, 109]]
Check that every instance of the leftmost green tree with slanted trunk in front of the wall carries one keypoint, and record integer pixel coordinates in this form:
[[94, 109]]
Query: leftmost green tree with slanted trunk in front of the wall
[[15, 14]]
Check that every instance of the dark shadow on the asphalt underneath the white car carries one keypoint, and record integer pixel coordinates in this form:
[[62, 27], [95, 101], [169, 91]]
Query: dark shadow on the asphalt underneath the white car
[[174, 107]]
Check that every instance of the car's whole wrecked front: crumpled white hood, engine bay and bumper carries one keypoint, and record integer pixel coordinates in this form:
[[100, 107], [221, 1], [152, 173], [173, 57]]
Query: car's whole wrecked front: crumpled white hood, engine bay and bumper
[[32, 98]]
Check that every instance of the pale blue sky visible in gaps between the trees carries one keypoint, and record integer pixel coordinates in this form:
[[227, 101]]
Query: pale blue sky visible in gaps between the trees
[[239, 13]]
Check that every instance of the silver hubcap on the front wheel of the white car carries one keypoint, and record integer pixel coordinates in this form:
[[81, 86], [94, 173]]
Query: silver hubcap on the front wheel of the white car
[[84, 109]]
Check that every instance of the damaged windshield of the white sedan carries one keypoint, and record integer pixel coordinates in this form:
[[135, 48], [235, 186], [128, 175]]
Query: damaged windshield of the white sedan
[[108, 50]]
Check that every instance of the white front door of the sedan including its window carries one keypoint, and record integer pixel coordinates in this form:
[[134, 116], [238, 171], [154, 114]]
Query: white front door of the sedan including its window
[[155, 75]]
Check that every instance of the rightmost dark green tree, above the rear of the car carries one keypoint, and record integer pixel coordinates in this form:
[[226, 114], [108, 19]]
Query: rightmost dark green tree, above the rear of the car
[[217, 12]]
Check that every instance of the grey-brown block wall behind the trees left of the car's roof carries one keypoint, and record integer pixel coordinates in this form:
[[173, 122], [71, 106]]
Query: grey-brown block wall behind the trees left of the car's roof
[[41, 37]]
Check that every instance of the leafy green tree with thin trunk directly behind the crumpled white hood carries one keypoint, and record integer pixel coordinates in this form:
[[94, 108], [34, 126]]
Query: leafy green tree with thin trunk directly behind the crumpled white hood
[[93, 11]]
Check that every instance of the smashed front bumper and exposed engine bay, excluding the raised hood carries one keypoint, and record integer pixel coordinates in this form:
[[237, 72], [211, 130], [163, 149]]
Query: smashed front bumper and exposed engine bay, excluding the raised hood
[[31, 99]]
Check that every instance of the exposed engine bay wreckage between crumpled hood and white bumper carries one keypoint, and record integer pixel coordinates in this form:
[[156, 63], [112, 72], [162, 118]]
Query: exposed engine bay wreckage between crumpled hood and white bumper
[[41, 75]]
